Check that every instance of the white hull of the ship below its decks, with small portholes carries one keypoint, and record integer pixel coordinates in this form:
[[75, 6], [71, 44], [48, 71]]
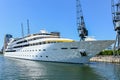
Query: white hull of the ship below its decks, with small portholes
[[61, 52]]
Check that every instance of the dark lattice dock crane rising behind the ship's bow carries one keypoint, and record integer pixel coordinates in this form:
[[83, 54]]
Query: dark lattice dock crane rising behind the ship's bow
[[82, 31]]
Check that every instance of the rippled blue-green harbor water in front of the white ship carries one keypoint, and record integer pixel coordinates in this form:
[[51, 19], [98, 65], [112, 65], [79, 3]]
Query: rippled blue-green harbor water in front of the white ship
[[17, 69]]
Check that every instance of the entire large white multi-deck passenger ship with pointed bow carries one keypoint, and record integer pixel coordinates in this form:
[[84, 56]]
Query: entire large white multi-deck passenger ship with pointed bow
[[46, 46]]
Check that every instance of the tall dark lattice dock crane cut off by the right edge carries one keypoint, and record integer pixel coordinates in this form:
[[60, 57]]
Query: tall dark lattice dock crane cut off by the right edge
[[116, 23]]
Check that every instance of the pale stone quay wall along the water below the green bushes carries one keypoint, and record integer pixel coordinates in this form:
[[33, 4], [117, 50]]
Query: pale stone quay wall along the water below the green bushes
[[112, 59]]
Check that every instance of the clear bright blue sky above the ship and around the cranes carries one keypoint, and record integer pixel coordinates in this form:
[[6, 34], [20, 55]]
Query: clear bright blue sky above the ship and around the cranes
[[56, 15]]
